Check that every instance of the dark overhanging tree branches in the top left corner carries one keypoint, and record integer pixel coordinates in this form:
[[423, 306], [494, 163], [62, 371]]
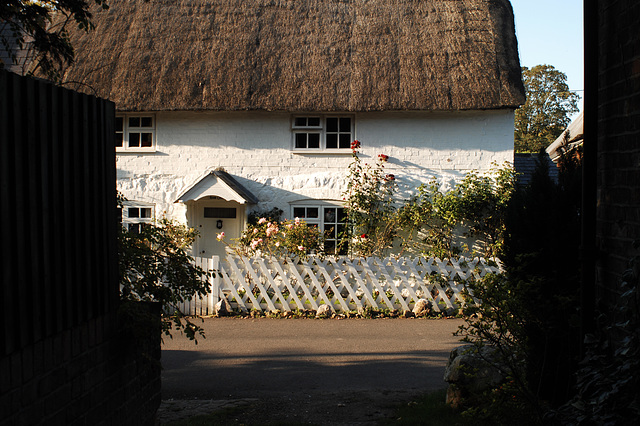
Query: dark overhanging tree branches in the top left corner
[[34, 33]]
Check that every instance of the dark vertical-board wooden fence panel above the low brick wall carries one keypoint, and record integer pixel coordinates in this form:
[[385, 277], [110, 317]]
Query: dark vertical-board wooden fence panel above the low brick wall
[[57, 174]]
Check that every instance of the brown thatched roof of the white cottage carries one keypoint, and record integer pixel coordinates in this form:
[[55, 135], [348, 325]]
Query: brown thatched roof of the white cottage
[[302, 55]]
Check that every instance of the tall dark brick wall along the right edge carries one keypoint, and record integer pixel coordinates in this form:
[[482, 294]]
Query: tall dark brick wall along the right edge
[[618, 160]]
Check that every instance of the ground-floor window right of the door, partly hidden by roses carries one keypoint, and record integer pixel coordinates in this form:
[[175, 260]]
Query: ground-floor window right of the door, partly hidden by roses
[[331, 219]]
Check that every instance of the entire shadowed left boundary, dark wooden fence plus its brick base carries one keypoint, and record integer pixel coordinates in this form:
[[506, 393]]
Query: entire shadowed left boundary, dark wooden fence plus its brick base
[[65, 356]]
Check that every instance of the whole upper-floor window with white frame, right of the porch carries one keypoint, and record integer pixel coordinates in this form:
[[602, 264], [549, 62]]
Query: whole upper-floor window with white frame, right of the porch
[[322, 133]]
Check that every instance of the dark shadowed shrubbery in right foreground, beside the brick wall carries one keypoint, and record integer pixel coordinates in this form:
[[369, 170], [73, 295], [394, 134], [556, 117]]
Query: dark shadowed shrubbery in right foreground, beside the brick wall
[[529, 314]]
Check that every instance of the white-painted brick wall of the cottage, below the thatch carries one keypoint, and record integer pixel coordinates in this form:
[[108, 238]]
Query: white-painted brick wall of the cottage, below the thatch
[[255, 148]]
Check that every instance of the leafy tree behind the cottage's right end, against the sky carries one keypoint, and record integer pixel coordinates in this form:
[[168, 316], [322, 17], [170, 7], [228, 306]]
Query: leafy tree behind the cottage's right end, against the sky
[[547, 110]]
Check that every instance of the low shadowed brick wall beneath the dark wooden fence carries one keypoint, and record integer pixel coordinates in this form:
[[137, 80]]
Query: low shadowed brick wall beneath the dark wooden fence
[[93, 374]]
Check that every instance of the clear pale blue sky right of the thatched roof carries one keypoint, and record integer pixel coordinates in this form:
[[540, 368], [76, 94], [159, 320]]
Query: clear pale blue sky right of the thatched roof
[[551, 32]]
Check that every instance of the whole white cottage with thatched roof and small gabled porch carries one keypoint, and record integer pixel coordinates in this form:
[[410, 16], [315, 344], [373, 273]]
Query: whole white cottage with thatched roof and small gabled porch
[[228, 106]]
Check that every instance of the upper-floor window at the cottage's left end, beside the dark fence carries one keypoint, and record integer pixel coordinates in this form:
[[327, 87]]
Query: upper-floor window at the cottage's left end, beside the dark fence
[[135, 133]]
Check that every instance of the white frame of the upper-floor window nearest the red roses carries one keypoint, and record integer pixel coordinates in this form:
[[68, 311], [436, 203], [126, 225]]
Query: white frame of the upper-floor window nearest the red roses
[[321, 129]]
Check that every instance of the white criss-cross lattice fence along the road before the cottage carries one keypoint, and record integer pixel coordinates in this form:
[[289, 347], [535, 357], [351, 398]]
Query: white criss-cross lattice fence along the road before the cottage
[[269, 284]]
